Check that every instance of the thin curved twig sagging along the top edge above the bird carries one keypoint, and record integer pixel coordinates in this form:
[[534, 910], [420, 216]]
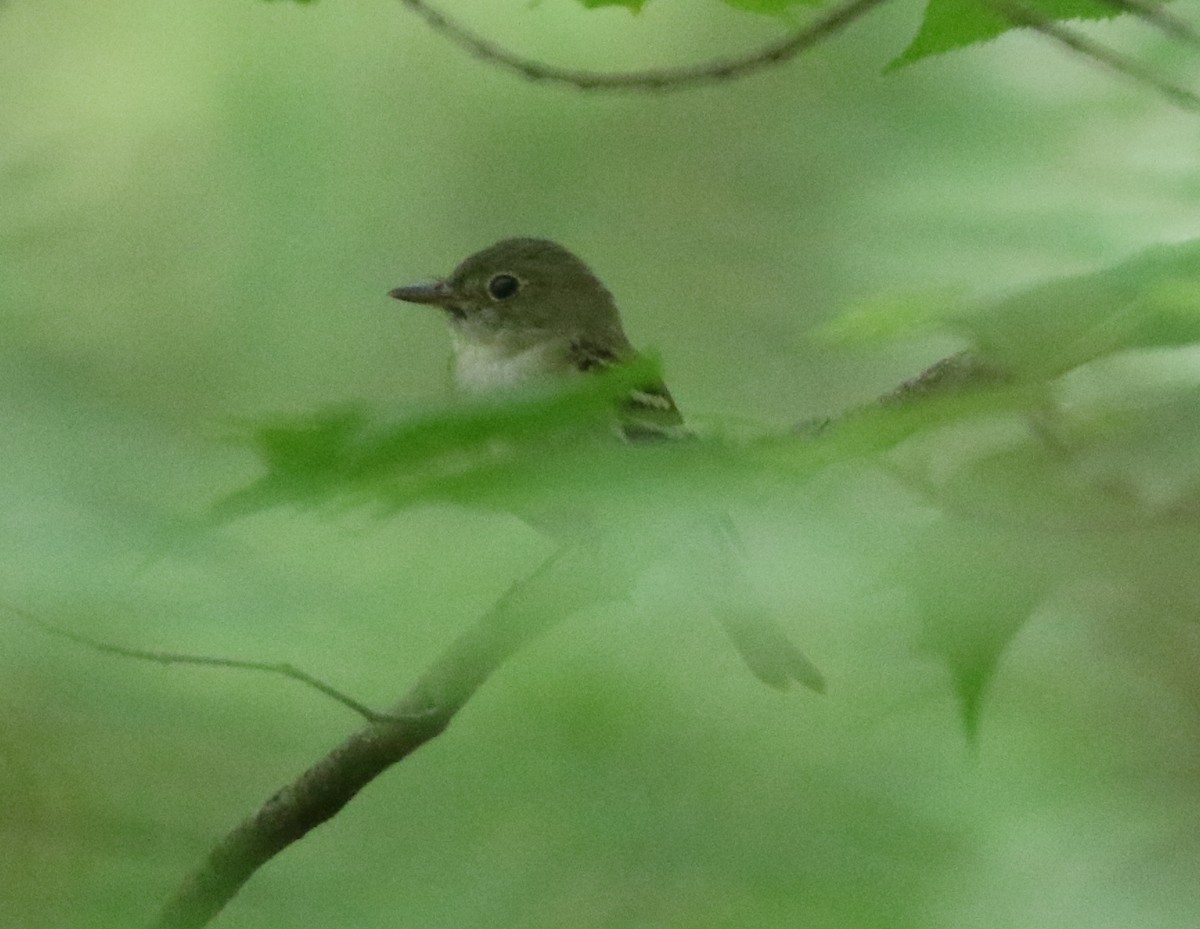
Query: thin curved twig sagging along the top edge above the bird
[[652, 80]]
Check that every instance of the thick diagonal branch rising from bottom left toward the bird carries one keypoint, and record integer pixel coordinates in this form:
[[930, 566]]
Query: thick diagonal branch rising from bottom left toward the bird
[[566, 583]]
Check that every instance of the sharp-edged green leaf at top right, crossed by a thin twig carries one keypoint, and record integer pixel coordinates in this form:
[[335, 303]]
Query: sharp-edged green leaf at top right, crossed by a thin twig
[[952, 25]]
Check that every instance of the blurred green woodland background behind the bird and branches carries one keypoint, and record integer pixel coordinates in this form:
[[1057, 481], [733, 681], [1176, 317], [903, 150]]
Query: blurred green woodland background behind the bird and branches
[[202, 209]]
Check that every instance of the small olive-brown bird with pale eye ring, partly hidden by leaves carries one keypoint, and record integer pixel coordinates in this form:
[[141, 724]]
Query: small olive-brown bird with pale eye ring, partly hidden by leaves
[[527, 309]]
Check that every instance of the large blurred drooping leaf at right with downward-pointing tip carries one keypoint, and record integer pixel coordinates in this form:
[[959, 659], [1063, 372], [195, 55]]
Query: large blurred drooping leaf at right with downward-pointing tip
[[1099, 484]]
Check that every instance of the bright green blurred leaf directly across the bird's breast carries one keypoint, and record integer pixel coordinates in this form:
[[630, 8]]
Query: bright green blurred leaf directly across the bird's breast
[[350, 455]]
